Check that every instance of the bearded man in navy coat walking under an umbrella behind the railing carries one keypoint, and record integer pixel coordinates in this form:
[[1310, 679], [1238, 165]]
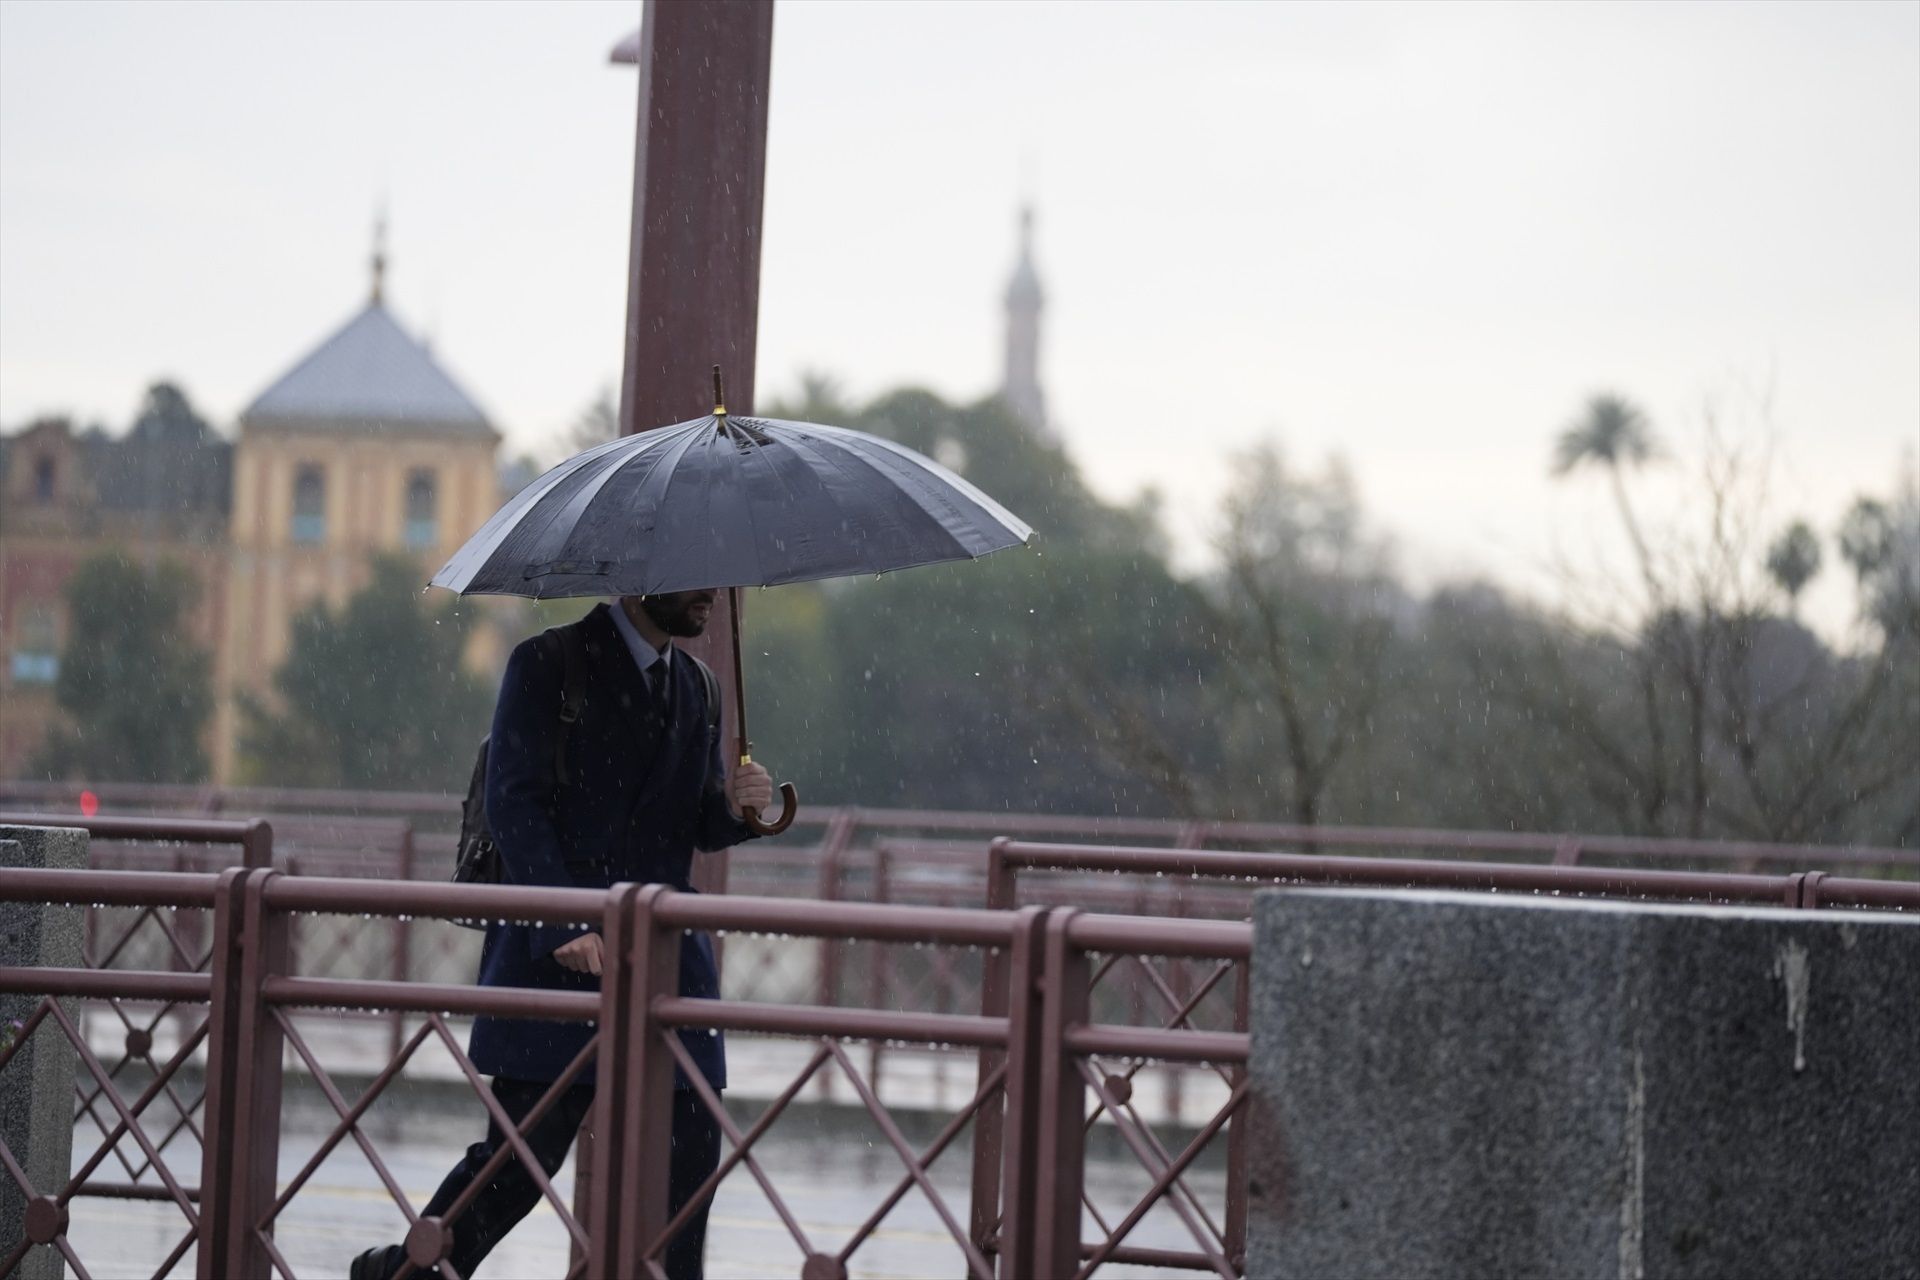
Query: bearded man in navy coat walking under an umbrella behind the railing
[[625, 794]]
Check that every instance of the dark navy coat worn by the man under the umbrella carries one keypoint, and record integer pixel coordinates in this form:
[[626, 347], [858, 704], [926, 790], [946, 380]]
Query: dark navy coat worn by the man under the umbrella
[[644, 794]]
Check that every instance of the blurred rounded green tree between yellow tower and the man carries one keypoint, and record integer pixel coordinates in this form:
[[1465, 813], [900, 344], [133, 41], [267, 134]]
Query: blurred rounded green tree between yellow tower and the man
[[372, 696]]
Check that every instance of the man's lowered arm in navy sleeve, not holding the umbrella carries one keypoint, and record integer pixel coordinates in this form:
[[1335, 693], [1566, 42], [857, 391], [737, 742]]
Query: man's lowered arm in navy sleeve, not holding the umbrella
[[521, 786]]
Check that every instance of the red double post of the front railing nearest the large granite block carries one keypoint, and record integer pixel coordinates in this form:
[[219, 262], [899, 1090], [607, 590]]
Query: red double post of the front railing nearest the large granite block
[[1059, 1116]]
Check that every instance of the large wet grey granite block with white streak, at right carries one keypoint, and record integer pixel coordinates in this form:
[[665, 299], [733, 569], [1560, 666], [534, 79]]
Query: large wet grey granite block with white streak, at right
[[1474, 1085]]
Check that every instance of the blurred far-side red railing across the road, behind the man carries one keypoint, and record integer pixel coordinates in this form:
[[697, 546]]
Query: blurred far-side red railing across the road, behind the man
[[1207, 884]]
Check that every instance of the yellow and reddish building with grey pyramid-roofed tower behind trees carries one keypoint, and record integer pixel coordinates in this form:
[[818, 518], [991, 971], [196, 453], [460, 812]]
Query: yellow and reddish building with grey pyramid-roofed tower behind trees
[[366, 446]]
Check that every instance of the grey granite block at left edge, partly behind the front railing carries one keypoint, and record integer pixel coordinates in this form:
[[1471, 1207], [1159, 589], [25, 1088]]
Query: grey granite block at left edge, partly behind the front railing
[[37, 1085]]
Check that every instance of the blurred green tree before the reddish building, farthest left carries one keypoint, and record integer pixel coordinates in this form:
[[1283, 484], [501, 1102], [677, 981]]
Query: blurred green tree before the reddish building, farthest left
[[133, 686]]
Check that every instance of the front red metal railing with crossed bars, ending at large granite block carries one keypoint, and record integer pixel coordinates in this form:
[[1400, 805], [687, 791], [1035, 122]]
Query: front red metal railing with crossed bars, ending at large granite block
[[252, 991]]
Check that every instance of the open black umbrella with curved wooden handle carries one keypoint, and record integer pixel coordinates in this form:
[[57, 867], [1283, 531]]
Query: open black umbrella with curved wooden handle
[[727, 502]]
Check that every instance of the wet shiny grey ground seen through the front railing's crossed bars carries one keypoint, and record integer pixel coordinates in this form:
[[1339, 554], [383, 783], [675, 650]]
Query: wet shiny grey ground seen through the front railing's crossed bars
[[830, 1164]]
